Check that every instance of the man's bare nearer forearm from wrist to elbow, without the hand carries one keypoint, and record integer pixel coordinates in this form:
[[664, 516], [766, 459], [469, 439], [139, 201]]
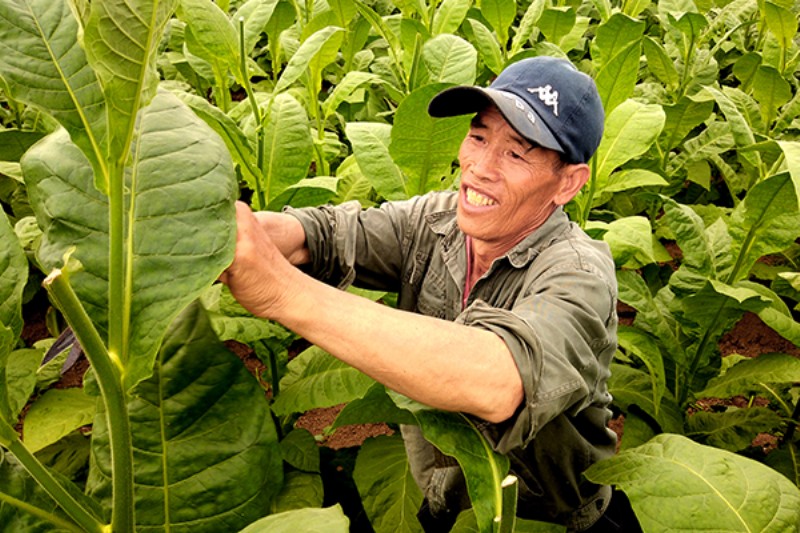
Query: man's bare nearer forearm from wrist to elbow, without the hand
[[442, 364]]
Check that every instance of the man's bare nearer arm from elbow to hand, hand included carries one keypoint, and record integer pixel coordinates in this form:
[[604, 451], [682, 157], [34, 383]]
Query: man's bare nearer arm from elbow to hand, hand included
[[440, 363]]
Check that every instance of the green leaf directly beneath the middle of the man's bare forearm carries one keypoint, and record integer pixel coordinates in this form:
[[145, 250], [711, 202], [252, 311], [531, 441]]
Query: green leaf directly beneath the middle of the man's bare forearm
[[317, 379]]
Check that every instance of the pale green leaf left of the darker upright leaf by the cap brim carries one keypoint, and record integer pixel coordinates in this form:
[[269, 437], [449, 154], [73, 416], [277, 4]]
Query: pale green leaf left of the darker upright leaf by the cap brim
[[370, 142]]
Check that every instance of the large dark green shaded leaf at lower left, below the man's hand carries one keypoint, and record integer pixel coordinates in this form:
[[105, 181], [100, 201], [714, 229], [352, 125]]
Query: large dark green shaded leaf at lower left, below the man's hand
[[202, 463]]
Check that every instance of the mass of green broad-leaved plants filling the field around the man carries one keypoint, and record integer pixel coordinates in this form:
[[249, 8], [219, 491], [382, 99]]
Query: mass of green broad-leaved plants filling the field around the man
[[129, 128]]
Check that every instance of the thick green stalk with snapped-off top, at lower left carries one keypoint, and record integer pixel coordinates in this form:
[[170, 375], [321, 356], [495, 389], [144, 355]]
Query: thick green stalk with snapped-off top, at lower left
[[108, 371]]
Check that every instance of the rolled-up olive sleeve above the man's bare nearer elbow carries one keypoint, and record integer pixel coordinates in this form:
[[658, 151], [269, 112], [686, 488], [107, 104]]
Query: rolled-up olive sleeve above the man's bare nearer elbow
[[560, 332]]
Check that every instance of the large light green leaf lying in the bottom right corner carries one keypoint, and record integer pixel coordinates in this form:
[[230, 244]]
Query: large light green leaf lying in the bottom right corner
[[675, 484]]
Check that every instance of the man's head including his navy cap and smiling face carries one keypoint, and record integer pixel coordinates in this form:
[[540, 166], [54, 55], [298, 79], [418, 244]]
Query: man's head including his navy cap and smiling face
[[535, 128]]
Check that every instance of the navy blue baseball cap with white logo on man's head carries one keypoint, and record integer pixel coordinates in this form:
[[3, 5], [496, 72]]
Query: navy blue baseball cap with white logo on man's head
[[545, 99]]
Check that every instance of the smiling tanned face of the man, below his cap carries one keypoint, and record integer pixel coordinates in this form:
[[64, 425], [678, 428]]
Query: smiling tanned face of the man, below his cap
[[508, 188]]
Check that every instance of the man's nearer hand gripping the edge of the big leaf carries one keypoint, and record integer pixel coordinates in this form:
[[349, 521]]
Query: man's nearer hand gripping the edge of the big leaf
[[259, 276]]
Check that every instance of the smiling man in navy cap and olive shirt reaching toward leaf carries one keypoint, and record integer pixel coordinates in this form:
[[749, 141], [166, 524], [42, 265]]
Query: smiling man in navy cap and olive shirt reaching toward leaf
[[506, 310]]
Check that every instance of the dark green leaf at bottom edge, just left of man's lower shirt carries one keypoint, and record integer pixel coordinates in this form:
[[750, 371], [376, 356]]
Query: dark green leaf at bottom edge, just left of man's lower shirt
[[390, 496]]
